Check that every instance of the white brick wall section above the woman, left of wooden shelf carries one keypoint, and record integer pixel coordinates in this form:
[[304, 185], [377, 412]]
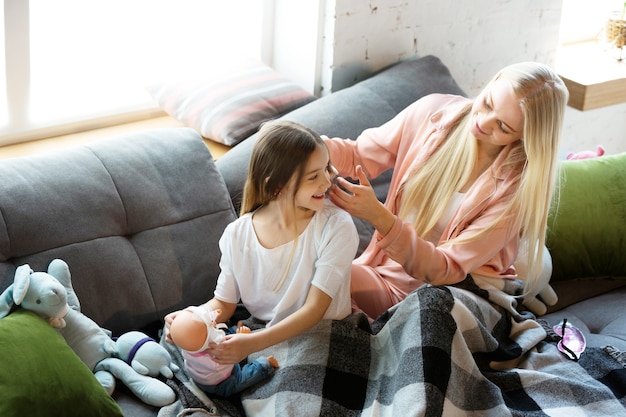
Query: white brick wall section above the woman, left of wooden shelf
[[474, 39]]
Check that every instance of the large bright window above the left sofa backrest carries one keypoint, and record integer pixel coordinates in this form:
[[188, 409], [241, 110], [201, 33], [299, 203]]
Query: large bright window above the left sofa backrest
[[74, 60]]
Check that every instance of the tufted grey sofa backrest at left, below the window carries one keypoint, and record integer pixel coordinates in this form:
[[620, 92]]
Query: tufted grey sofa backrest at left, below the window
[[137, 218]]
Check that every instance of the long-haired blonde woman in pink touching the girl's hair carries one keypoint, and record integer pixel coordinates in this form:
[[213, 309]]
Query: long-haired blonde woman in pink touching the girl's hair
[[472, 184]]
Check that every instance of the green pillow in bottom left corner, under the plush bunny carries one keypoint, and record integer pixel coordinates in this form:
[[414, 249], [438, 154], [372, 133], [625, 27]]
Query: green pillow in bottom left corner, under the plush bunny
[[40, 375]]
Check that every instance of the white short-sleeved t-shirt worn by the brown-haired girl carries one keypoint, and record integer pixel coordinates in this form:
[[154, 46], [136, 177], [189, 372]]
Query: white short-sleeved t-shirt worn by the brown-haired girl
[[323, 258]]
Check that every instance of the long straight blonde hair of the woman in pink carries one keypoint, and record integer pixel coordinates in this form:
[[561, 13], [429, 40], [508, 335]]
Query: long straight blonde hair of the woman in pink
[[543, 97]]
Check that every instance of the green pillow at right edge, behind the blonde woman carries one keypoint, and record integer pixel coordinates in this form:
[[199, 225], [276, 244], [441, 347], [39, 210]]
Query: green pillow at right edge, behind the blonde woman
[[587, 229]]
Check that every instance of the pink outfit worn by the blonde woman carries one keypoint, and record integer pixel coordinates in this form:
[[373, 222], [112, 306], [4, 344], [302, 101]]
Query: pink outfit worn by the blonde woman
[[394, 265]]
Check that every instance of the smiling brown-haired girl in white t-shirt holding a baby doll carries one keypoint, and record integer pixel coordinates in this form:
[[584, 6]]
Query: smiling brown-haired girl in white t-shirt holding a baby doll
[[287, 257]]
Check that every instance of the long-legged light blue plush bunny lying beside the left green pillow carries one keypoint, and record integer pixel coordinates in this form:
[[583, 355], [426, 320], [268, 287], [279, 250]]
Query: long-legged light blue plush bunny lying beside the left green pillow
[[50, 294]]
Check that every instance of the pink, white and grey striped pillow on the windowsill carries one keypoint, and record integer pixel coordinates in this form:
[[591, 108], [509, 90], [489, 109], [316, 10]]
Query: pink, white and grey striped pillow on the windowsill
[[229, 105]]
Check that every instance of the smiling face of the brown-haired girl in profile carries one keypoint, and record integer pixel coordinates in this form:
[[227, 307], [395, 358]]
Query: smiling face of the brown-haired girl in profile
[[318, 174]]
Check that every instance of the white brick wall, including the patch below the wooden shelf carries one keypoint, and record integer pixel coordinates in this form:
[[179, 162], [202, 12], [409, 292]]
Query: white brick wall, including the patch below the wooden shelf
[[473, 39]]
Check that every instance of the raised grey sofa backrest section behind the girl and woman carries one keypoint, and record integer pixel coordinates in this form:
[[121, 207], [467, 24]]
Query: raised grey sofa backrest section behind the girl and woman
[[348, 112]]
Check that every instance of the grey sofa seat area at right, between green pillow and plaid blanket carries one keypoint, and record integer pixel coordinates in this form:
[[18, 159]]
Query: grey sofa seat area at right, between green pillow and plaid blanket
[[602, 319]]
